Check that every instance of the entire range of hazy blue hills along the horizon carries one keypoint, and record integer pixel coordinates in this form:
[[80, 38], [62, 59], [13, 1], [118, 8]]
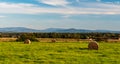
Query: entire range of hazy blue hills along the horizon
[[61, 30]]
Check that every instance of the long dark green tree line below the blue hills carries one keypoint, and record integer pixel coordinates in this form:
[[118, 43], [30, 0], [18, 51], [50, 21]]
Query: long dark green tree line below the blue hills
[[94, 35]]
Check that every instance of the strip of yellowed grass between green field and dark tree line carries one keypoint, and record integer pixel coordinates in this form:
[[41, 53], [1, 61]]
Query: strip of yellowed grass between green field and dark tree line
[[57, 40]]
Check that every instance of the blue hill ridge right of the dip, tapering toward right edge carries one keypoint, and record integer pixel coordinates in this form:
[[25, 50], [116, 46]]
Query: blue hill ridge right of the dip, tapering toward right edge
[[72, 30]]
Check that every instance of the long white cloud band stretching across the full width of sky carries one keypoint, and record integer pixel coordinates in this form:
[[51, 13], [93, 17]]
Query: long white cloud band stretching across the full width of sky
[[22, 8]]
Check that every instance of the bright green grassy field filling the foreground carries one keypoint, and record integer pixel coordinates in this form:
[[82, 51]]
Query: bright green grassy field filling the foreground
[[58, 53]]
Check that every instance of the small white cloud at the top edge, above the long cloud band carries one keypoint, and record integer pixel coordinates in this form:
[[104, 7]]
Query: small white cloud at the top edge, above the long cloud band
[[55, 2]]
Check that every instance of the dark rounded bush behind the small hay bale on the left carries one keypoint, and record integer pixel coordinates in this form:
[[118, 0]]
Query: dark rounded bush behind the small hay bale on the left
[[29, 36]]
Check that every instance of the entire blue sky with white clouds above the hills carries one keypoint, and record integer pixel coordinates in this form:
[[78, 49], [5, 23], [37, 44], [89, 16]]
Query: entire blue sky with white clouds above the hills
[[79, 14]]
